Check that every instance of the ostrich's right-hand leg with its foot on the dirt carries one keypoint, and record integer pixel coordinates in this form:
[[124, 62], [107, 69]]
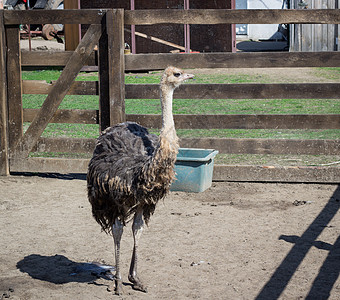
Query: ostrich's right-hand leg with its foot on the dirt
[[137, 228]]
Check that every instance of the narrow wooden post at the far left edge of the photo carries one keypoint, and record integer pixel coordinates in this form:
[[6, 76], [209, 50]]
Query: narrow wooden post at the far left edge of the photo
[[4, 162]]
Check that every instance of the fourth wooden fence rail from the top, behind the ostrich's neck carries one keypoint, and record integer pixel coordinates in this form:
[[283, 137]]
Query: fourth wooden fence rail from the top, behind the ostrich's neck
[[80, 116]]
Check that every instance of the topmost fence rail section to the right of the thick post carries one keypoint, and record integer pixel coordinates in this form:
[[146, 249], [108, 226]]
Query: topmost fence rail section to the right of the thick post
[[230, 16]]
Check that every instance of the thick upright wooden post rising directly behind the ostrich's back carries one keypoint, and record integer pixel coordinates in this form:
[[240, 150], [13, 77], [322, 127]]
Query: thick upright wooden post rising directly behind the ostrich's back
[[112, 70]]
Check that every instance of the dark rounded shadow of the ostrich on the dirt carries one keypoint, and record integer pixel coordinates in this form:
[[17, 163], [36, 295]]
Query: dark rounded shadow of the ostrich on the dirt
[[59, 269]]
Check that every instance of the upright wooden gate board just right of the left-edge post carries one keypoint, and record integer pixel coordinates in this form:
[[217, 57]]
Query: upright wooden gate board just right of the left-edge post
[[14, 85]]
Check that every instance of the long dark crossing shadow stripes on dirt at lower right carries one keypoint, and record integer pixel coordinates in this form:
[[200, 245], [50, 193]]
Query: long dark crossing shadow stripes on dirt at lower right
[[329, 271]]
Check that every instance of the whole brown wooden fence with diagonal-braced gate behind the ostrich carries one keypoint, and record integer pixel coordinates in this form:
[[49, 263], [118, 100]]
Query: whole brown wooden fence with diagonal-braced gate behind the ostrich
[[107, 31]]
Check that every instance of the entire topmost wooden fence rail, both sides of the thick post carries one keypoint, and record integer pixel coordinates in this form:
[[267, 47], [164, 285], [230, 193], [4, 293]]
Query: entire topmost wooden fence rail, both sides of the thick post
[[192, 16]]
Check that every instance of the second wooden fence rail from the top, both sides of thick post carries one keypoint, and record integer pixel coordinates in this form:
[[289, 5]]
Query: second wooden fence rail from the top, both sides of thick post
[[137, 62]]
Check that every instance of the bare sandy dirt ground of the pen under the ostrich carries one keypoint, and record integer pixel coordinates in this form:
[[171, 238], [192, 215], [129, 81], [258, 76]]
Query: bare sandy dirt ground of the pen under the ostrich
[[233, 241]]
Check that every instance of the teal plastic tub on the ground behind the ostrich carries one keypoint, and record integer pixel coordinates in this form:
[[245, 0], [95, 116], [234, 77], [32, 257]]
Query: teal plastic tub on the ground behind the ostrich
[[194, 170]]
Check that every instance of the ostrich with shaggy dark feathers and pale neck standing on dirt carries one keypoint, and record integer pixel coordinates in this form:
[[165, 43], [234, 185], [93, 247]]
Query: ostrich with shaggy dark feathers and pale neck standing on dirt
[[130, 171]]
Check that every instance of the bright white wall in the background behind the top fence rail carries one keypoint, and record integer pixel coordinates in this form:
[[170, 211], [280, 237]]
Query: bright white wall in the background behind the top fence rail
[[258, 31]]
